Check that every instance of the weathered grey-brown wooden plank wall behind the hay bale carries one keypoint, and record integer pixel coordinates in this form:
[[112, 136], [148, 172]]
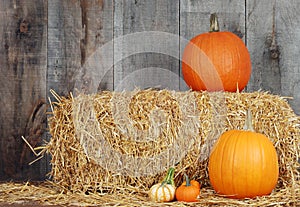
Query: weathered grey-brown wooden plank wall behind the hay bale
[[45, 44]]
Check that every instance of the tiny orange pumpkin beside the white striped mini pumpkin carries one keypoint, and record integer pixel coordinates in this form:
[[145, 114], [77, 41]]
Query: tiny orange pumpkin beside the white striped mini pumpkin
[[188, 191]]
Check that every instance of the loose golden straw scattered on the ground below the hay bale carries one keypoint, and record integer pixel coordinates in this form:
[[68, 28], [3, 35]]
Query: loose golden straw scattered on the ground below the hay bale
[[48, 193]]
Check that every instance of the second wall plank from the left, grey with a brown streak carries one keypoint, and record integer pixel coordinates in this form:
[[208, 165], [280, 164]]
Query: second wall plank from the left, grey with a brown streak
[[76, 30]]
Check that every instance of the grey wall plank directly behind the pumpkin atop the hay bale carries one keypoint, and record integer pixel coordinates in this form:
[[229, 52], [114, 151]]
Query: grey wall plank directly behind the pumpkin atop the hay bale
[[194, 19]]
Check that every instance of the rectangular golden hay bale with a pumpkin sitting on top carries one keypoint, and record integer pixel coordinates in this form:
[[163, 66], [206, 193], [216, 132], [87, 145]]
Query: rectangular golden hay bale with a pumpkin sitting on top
[[124, 141]]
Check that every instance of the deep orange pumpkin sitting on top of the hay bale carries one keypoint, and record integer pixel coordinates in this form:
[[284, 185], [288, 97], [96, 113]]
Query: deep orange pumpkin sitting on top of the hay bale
[[216, 61]]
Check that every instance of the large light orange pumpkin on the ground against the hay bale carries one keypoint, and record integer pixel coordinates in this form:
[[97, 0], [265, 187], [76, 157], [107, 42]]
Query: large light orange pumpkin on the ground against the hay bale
[[243, 164]]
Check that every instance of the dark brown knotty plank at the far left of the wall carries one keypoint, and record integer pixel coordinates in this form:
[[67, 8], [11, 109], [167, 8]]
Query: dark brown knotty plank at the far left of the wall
[[23, 33]]
